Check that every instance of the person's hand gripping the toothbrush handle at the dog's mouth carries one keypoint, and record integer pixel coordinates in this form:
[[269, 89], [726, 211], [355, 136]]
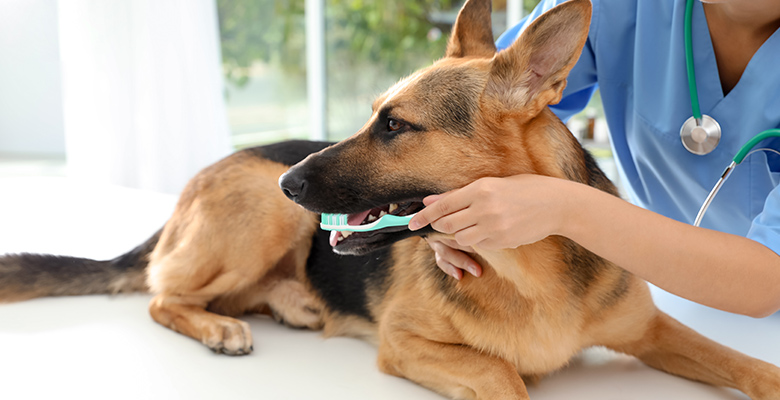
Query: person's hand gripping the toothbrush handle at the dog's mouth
[[498, 213]]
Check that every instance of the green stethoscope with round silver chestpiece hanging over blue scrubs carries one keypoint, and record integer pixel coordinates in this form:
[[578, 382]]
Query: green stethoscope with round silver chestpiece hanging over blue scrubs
[[700, 134]]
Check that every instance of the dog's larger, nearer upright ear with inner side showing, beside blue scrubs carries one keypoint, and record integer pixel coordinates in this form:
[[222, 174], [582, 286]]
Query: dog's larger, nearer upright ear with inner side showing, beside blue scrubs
[[532, 72]]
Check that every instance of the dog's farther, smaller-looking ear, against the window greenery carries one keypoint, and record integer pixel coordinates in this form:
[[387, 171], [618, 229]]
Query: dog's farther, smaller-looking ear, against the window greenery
[[472, 34]]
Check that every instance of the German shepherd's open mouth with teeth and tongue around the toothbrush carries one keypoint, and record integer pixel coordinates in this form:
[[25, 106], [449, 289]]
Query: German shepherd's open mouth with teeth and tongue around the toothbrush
[[337, 238]]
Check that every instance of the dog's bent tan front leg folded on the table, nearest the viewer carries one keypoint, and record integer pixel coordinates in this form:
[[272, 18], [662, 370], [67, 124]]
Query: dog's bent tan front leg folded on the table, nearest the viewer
[[454, 370]]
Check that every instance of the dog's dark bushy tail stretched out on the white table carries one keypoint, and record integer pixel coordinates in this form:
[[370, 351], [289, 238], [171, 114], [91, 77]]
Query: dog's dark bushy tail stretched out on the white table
[[26, 276]]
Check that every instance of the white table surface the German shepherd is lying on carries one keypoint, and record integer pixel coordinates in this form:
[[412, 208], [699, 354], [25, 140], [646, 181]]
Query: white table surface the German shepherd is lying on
[[97, 347]]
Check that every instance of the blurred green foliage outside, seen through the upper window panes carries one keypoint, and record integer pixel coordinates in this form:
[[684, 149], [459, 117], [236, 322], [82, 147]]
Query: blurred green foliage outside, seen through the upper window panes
[[395, 35]]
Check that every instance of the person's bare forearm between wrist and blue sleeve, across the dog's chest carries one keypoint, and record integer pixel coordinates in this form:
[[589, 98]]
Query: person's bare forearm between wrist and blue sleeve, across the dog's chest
[[721, 270]]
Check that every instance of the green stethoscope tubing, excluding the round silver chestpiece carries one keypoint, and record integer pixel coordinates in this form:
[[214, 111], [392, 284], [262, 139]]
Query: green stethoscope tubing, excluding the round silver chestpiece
[[744, 151]]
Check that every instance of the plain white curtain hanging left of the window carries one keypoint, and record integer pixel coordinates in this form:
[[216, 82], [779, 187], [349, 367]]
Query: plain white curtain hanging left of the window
[[142, 91]]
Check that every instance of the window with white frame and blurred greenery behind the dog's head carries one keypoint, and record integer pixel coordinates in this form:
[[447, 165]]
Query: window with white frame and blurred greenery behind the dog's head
[[368, 45]]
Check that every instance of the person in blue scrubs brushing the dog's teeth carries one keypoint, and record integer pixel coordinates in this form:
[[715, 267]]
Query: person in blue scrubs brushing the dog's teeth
[[635, 56]]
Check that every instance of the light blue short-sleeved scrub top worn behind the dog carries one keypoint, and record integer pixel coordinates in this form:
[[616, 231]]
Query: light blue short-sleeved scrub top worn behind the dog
[[635, 56]]
